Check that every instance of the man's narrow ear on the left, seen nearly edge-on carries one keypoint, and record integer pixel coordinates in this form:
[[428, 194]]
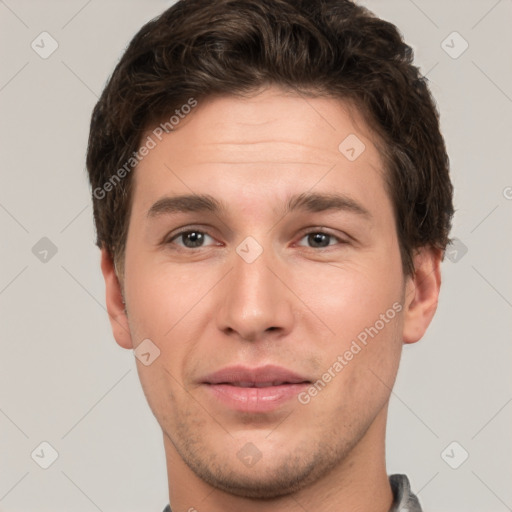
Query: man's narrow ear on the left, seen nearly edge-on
[[115, 304]]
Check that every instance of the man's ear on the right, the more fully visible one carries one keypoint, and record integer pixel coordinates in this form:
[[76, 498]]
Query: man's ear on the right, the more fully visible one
[[421, 293]]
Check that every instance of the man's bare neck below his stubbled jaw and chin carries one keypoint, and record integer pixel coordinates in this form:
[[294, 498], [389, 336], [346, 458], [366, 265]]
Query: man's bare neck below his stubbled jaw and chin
[[359, 482]]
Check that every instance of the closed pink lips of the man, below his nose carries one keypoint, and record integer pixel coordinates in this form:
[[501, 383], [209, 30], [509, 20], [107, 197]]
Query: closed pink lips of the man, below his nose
[[254, 390]]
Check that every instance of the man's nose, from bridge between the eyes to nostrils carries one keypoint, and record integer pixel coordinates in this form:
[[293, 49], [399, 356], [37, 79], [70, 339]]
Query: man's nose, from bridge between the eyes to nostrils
[[256, 299]]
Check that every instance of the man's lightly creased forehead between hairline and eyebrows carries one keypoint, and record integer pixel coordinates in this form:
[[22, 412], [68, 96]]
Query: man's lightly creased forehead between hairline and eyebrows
[[273, 142]]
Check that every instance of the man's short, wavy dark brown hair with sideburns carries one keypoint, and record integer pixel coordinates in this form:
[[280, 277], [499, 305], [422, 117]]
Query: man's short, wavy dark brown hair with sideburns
[[197, 49]]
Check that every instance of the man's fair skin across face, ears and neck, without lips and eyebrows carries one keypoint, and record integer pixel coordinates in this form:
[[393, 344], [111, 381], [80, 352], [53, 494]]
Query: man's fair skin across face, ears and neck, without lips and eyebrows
[[299, 305]]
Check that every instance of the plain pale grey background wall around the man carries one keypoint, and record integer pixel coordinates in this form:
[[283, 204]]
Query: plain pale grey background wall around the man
[[63, 379]]
